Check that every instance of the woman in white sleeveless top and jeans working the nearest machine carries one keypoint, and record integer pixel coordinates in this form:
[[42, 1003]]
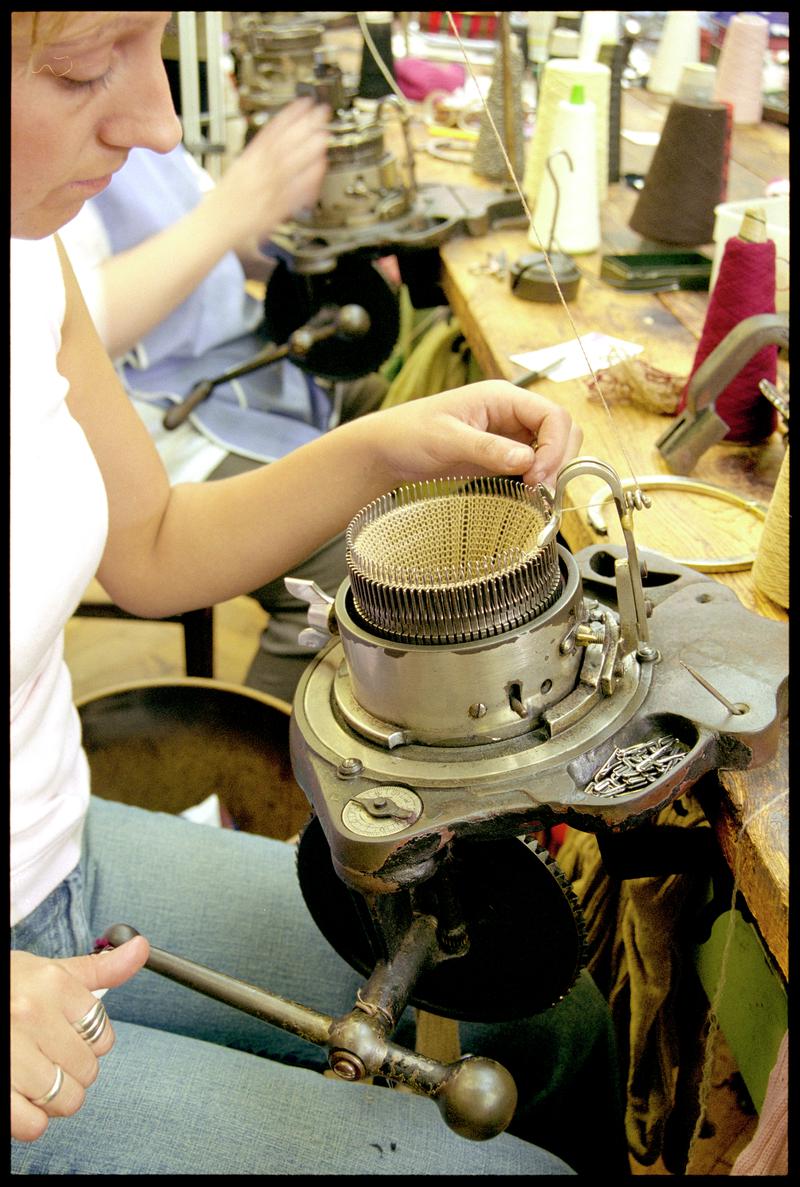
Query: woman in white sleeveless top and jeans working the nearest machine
[[179, 1089]]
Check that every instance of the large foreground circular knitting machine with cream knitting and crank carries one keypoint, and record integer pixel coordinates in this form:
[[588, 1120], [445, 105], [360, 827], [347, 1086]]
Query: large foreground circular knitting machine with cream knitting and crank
[[478, 683]]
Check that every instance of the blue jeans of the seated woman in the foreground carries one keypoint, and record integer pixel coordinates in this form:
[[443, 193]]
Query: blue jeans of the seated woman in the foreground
[[186, 1089]]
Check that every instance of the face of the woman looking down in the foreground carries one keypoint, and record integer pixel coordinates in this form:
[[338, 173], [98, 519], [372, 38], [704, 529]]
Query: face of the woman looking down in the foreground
[[91, 90]]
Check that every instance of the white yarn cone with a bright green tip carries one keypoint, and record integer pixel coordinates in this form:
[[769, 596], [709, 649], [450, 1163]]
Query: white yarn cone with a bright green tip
[[577, 221]]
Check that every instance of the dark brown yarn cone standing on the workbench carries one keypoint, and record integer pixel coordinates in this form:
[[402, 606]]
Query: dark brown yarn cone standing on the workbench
[[685, 180]]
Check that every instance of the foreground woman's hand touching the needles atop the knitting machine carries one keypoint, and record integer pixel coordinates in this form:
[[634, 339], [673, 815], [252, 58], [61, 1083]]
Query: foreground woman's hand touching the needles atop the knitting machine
[[484, 429]]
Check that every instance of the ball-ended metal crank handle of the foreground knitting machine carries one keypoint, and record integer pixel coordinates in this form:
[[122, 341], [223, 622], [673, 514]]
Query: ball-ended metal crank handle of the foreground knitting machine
[[475, 1096]]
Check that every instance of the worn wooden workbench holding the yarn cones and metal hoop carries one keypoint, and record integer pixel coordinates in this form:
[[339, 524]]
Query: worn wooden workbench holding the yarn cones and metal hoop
[[499, 325]]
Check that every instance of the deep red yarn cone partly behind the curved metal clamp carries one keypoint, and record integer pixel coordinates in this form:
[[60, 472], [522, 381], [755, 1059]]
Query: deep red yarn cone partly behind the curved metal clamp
[[746, 287]]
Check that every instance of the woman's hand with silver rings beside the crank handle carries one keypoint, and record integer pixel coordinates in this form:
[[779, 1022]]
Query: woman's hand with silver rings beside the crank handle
[[47, 999]]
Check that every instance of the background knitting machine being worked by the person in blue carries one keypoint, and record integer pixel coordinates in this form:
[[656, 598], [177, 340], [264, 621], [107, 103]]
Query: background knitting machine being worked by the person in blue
[[371, 206]]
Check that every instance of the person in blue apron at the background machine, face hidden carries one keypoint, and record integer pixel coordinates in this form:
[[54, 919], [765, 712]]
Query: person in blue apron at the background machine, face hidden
[[163, 257]]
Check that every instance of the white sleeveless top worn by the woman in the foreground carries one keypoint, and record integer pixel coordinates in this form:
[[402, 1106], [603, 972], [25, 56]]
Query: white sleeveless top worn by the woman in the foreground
[[59, 525]]
